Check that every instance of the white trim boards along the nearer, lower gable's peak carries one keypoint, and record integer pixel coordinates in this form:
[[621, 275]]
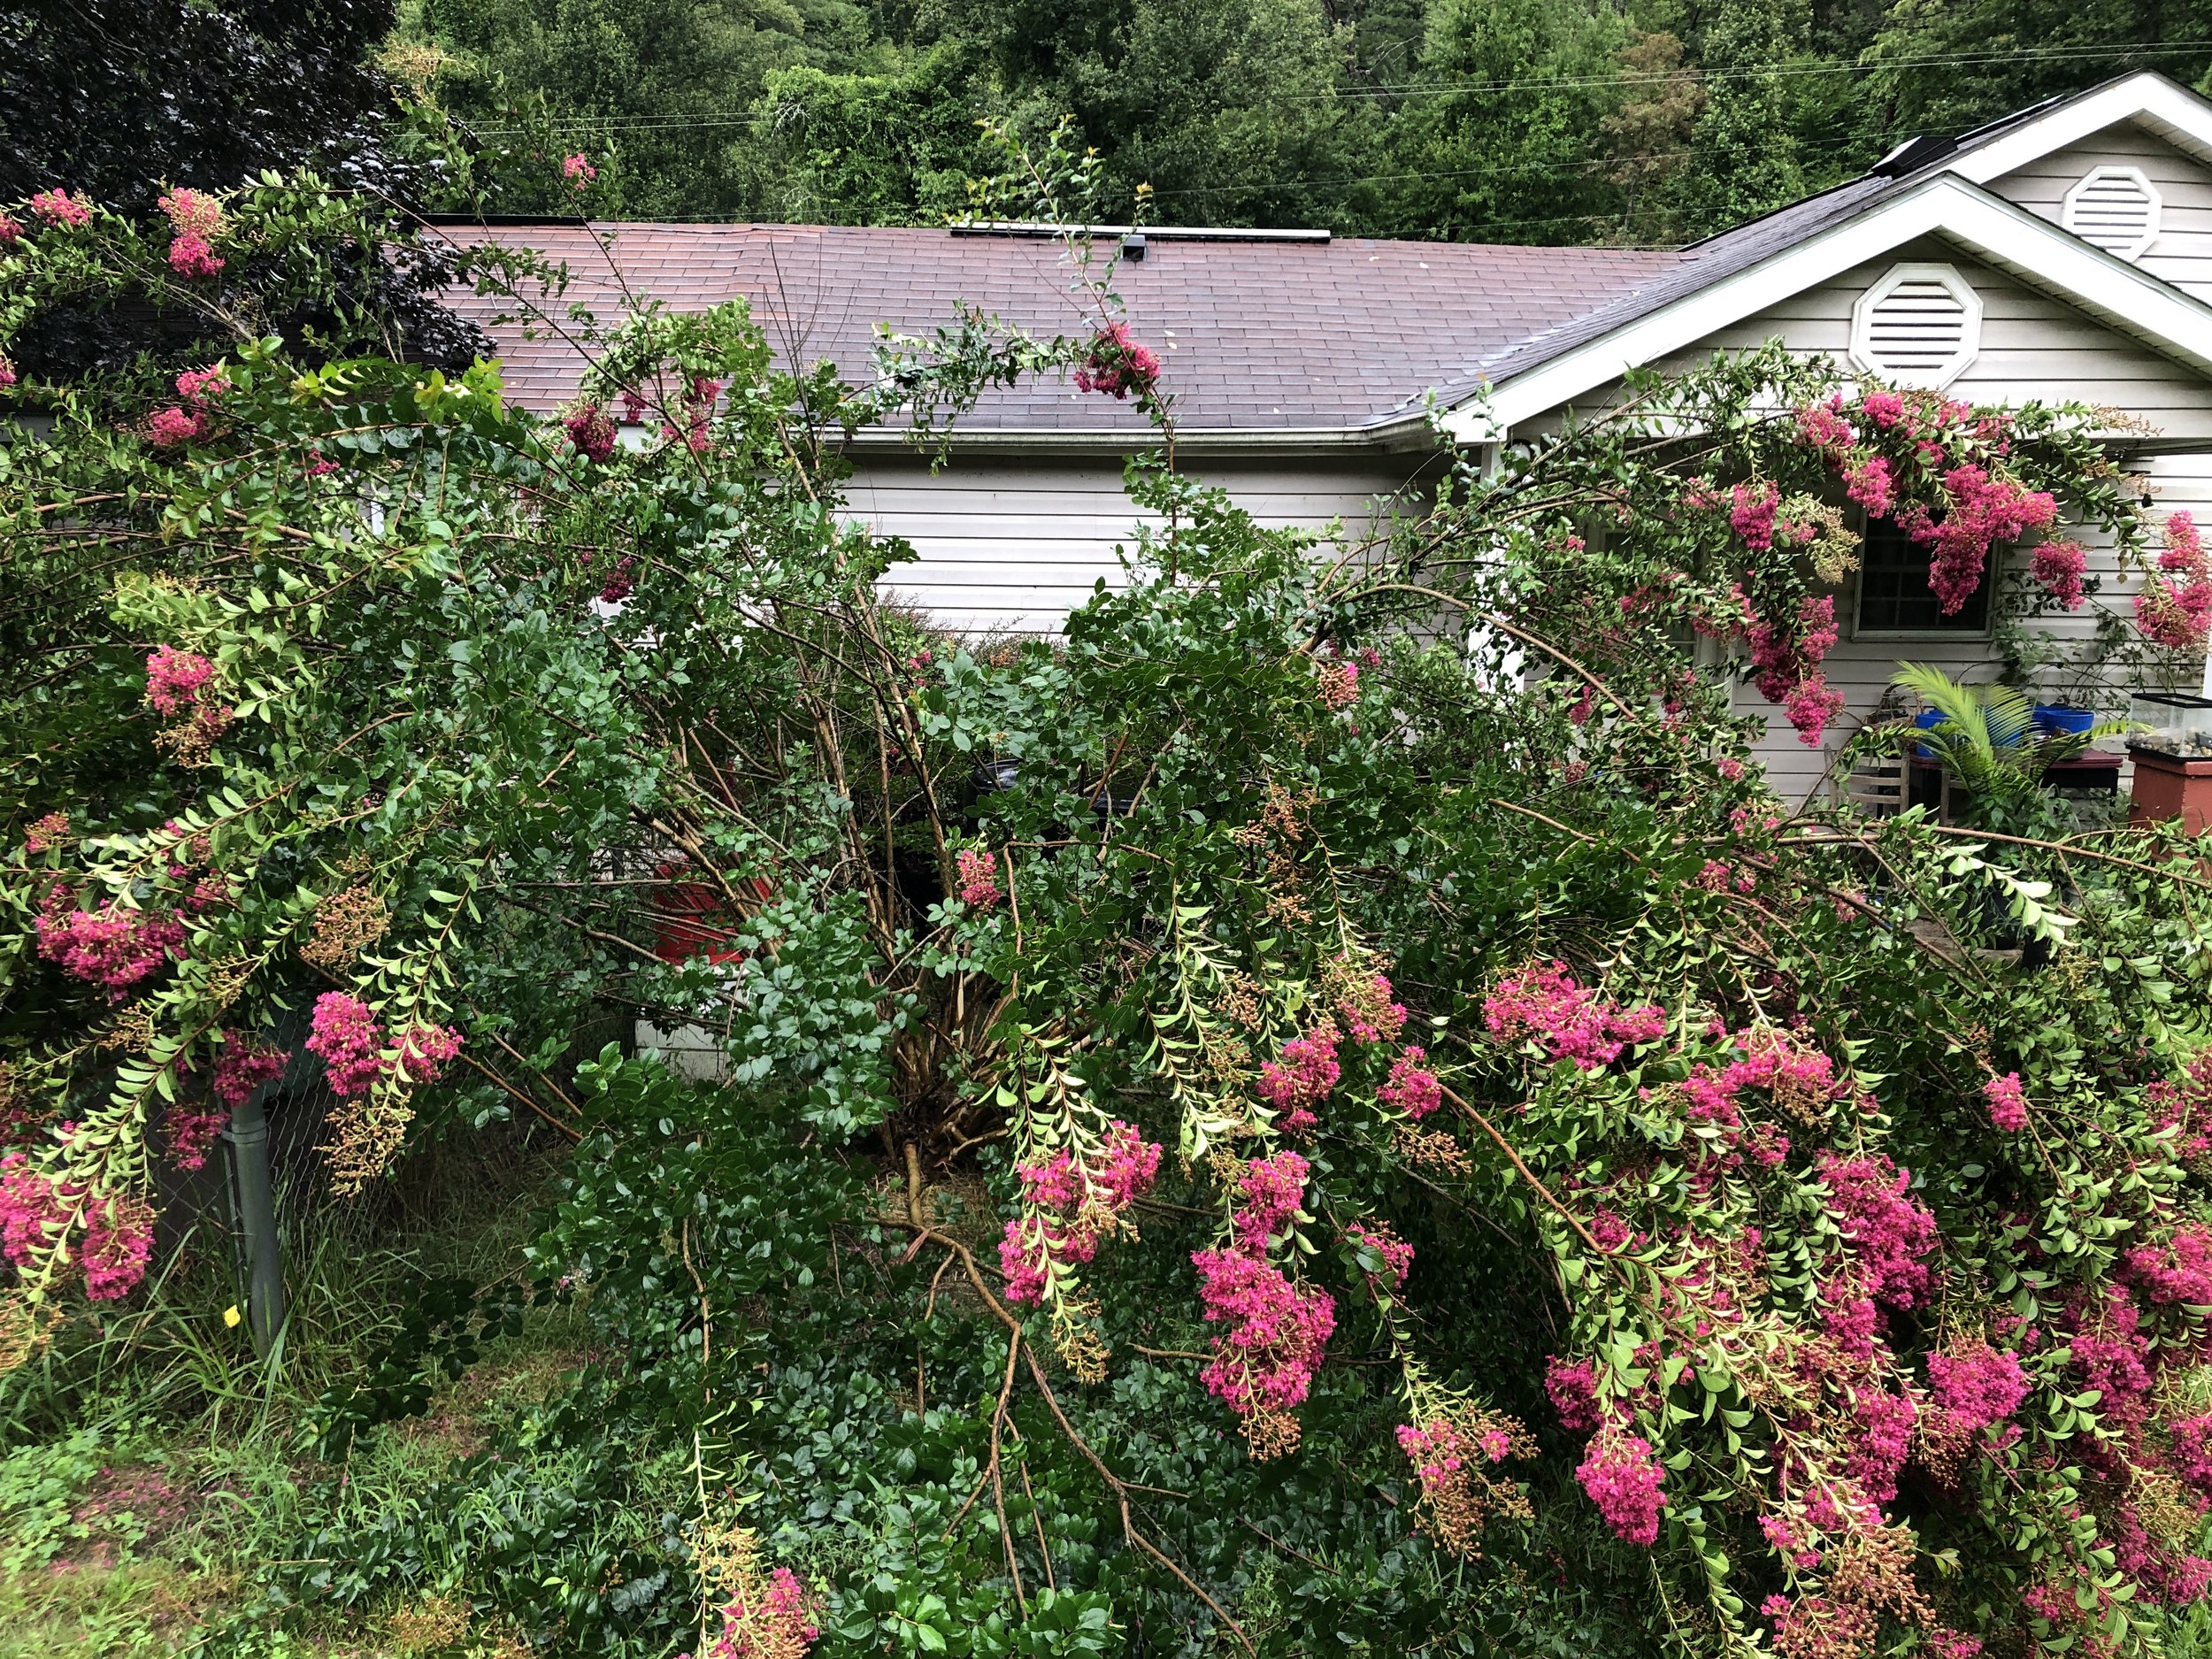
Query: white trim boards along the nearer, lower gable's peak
[[2014, 240]]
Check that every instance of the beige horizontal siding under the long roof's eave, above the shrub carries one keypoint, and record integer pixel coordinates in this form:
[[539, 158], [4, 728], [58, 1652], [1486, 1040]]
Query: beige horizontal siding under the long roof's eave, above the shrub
[[1014, 545]]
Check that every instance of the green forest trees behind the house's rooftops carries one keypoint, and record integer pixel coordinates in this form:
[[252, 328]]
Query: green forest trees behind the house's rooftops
[[1505, 121]]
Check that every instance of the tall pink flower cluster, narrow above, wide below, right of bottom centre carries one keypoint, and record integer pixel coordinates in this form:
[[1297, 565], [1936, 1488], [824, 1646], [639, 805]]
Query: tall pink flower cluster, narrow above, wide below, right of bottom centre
[[1277, 1333]]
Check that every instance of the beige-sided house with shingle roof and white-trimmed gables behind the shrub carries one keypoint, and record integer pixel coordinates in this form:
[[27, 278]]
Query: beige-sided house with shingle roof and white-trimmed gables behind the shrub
[[2058, 255]]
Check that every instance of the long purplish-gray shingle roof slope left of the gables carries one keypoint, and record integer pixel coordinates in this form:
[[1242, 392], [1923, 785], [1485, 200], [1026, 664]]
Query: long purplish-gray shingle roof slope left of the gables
[[1255, 337]]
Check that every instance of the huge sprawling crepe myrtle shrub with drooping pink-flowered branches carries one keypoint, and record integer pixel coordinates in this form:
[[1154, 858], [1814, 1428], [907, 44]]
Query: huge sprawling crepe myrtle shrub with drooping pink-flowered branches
[[1355, 1005]]
